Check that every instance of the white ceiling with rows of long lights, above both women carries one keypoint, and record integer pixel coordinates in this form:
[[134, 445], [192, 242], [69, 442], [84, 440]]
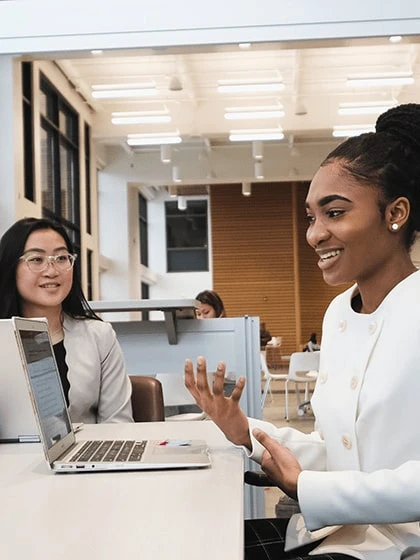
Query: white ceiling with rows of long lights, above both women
[[314, 74]]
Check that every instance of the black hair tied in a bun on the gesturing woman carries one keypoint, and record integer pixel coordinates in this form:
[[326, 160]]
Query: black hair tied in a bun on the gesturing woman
[[389, 160]]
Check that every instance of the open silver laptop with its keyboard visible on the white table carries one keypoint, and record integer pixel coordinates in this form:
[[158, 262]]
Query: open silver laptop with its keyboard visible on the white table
[[62, 452]]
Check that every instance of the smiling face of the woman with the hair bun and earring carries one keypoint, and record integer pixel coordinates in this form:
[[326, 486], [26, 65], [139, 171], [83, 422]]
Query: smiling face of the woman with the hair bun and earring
[[346, 228]]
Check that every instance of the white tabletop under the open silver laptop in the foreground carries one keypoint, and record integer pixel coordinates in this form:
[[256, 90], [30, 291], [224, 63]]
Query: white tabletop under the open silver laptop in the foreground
[[184, 514]]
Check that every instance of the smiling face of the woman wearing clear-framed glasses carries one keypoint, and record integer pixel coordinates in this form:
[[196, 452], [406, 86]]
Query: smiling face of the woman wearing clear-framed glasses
[[43, 292]]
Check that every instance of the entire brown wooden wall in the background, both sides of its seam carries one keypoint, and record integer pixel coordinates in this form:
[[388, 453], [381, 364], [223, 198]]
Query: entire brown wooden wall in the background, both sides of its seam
[[254, 260]]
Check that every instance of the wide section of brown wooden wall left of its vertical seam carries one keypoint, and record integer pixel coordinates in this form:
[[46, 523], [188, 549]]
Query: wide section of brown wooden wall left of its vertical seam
[[253, 255]]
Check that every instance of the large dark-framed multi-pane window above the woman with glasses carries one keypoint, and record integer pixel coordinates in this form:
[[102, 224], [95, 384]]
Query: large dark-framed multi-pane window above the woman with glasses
[[59, 161]]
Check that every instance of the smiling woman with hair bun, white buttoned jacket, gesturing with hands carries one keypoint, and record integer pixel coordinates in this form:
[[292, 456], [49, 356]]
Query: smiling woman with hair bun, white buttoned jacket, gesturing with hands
[[357, 476]]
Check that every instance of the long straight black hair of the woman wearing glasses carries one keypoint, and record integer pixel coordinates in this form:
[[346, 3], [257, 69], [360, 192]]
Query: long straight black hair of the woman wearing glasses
[[12, 246]]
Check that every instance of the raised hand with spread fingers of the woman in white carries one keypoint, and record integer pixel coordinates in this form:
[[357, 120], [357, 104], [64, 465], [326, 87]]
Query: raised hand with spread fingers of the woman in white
[[224, 411]]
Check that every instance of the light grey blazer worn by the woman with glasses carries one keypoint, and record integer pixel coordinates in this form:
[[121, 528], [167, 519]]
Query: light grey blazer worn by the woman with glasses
[[100, 389]]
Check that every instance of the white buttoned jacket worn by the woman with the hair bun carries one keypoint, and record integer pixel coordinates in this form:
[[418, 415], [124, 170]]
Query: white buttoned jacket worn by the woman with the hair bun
[[361, 467]]
